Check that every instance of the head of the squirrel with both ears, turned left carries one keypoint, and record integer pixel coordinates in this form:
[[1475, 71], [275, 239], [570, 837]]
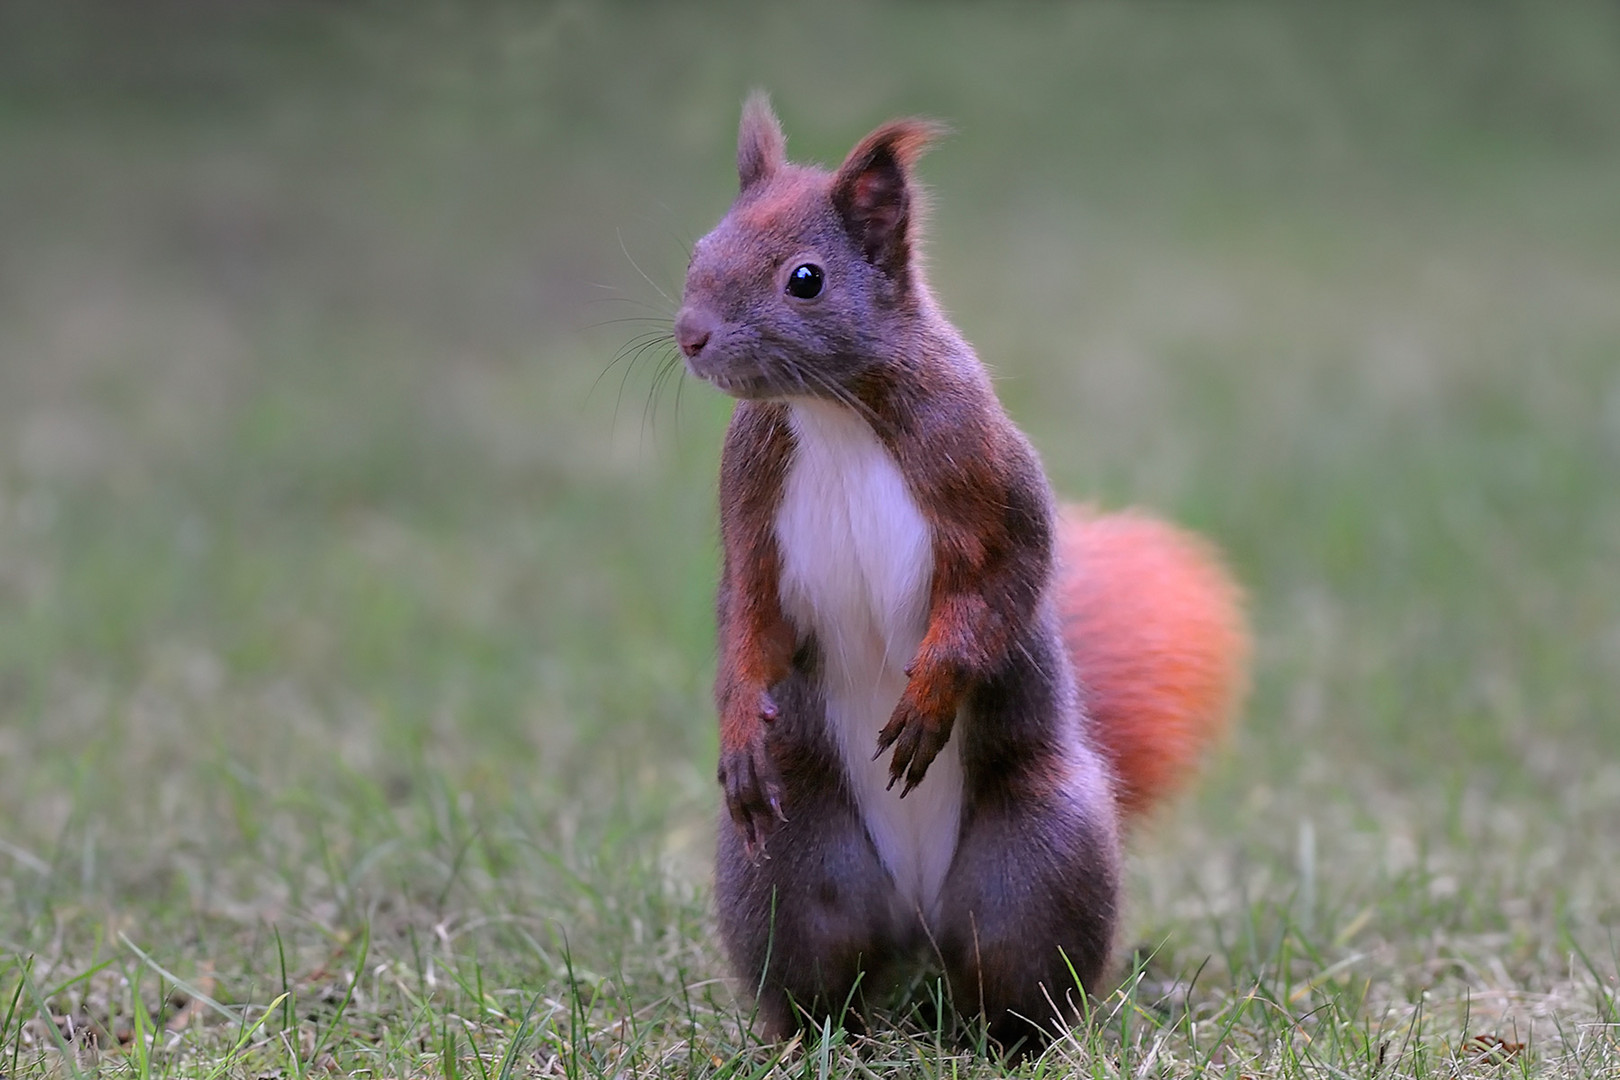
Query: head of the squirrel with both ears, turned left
[[812, 279]]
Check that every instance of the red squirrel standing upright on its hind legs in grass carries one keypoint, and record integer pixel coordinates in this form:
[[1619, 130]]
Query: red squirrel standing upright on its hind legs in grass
[[940, 697]]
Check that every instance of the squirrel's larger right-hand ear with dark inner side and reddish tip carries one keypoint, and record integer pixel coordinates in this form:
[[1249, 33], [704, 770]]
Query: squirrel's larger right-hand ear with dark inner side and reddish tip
[[874, 192]]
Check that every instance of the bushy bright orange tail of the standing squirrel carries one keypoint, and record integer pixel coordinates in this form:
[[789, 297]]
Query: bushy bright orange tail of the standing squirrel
[[1156, 627]]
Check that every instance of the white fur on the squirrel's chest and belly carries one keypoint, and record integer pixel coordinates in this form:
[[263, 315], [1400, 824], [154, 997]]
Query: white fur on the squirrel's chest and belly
[[858, 563]]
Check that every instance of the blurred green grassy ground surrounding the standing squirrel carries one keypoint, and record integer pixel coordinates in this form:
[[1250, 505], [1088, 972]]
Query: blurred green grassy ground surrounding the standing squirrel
[[356, 636]]
